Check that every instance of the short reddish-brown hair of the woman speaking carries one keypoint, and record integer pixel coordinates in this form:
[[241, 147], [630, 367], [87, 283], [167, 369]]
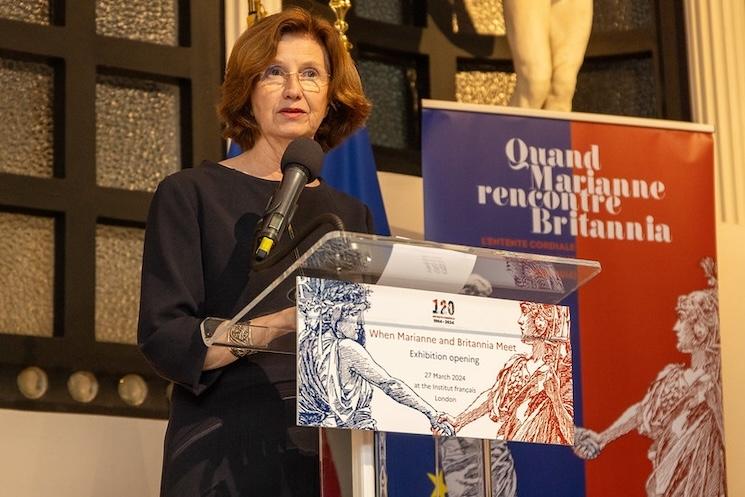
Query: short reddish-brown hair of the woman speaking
[[254, 51]]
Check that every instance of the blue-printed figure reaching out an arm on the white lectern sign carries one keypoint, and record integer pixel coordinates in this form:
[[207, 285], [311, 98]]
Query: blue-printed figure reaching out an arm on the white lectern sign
[[337, 372]]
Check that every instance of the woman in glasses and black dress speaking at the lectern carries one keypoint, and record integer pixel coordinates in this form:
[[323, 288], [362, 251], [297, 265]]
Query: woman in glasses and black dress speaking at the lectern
[[231, 427]]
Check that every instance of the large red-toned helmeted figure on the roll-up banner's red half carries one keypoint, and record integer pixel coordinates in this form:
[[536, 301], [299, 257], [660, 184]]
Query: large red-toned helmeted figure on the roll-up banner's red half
[[682, 409]]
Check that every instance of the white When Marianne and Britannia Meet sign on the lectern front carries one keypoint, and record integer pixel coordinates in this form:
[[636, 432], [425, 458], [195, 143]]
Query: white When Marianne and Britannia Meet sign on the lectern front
[[384, 358]]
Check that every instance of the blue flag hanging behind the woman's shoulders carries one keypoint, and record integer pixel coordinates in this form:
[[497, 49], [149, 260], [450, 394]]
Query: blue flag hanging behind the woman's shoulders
[[350, 168]]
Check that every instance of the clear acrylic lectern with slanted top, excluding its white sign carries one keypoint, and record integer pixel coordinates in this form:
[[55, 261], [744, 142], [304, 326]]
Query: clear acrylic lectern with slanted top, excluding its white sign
[[375, 259]]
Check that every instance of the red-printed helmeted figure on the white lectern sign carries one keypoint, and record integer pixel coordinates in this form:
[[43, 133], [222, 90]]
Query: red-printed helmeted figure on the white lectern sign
[[531, 400]]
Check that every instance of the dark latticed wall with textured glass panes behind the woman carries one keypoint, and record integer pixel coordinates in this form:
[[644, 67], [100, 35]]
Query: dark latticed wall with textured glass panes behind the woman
[[102, 99]]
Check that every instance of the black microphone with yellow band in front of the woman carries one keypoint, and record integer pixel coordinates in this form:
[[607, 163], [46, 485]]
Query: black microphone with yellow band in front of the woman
[[301, 164]]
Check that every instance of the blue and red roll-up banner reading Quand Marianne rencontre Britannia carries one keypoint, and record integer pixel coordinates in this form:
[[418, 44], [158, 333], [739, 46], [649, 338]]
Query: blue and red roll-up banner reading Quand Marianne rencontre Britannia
[[638, 196]]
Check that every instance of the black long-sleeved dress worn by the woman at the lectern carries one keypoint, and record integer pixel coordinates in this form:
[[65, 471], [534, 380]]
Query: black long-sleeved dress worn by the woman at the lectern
[[231, 431]]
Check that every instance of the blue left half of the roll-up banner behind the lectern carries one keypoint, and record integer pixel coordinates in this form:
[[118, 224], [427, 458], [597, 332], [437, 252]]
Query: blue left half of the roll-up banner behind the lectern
[[480, 190]]
